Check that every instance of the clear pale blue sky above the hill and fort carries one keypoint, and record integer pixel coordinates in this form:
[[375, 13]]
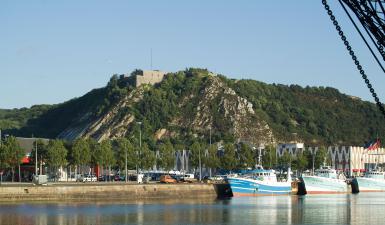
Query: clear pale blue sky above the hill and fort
[[52, 51]]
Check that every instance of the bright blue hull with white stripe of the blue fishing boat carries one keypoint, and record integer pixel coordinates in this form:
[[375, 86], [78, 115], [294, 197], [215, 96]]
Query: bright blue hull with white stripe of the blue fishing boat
[[251, 187]]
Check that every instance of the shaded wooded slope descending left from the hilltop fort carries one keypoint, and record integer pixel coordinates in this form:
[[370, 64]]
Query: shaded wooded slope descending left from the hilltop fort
[[50, 120]]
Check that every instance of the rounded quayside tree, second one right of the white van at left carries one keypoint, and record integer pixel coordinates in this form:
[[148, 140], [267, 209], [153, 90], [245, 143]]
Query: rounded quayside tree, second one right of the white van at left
[[80, 153]]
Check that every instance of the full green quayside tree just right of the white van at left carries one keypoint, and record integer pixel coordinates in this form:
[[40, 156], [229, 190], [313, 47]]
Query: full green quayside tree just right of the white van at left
[[56, 155]]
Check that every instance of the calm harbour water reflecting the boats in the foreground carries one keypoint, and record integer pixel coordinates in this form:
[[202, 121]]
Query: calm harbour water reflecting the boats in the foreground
[[364, 208]]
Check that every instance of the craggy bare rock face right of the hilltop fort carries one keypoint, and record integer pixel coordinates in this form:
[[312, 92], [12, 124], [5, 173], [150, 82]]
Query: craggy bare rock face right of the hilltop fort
[[220, 108]]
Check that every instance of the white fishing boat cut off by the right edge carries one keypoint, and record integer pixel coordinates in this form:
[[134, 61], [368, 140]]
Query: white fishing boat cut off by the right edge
[[372, 181]]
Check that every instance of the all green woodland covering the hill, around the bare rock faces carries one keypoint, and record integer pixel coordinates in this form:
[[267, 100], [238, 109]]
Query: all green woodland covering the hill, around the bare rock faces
[[315, 115]]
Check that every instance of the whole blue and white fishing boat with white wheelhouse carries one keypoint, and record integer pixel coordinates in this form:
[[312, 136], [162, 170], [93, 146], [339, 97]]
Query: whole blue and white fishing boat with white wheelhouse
[[258, 182]]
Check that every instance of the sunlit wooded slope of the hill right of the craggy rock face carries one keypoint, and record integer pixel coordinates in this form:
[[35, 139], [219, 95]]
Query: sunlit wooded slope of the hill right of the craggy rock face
[[313, 114]]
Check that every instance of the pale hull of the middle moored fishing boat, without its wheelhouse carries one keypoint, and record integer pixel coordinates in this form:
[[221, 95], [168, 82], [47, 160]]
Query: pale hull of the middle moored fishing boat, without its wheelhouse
[[324, 185]]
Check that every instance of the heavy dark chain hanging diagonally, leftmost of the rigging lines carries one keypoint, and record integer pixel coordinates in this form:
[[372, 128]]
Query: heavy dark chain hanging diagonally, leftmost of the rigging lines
[[354, 57]]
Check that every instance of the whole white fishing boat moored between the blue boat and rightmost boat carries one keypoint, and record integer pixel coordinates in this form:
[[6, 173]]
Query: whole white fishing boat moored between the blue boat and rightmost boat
[[324, 181]]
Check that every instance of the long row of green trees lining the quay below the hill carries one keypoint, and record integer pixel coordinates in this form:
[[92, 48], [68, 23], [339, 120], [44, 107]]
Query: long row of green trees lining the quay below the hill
[[112, 155]]
